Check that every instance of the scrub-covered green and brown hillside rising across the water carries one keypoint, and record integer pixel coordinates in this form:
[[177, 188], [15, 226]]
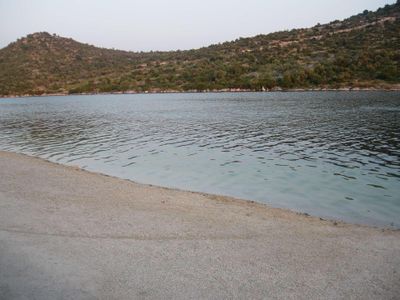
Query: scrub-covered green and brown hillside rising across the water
[[361, 51]]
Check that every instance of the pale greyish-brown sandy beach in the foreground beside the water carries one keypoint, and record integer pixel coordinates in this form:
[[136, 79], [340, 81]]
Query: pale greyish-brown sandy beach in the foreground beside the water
[[66, 233]]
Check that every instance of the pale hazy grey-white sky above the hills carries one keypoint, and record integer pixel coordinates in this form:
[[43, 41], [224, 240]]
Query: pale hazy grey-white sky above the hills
[[169, 24]]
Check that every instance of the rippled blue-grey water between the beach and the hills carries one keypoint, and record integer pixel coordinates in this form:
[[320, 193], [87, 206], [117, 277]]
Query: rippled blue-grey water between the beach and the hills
[[331, 154]]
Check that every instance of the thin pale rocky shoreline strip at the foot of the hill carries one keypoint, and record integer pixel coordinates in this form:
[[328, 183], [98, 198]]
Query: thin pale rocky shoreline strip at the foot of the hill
[[274, 90]]
